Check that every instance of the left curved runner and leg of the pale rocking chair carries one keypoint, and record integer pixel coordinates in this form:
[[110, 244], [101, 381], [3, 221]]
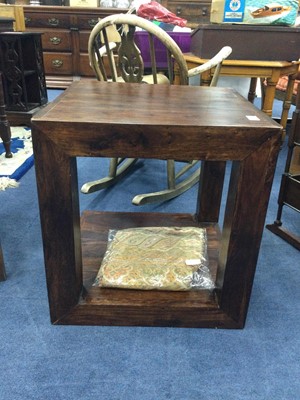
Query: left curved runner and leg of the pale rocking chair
[[117, 169]]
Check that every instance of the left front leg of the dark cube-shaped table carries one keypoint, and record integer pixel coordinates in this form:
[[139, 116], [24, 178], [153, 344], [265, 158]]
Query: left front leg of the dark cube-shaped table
[[57, 183]]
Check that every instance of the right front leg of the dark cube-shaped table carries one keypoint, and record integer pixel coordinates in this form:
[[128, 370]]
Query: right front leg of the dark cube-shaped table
[[246, 208]]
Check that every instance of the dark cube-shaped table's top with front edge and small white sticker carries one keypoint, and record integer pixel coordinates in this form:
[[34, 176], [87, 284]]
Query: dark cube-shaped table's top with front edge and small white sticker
[[135, 120]]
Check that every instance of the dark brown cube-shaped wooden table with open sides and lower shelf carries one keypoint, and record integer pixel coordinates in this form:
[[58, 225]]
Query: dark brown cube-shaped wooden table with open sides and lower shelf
[[215, 125]]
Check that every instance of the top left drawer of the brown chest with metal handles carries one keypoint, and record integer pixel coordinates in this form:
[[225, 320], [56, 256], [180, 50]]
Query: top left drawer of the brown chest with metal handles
[[49, 20]]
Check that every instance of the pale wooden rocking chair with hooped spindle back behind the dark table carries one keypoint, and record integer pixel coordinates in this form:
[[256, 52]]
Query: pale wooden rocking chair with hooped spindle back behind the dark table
[[115, 57]]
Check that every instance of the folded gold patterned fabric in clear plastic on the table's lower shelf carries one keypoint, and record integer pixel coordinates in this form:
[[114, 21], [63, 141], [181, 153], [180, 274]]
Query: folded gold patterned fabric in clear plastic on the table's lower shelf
[[161, 258]]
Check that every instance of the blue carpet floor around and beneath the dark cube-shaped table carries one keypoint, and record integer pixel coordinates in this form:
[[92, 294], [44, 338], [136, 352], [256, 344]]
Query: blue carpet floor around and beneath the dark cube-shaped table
[[39, 361]]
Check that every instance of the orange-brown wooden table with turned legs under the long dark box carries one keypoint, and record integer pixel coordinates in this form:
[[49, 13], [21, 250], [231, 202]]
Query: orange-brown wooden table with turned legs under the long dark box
[[270, 70]]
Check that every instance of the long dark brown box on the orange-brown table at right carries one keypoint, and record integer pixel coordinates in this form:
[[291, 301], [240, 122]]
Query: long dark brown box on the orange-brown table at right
[[248, 42]]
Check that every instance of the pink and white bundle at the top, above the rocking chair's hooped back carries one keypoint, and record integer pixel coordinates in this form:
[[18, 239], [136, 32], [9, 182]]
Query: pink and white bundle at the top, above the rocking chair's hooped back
[[156, 12]]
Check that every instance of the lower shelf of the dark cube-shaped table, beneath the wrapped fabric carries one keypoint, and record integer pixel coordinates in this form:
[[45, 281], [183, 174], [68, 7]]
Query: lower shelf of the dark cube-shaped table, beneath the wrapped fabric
[[103, 306]]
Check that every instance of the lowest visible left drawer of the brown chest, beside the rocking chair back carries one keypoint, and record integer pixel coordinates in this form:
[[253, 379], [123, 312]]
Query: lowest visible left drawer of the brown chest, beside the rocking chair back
[[58, 63]]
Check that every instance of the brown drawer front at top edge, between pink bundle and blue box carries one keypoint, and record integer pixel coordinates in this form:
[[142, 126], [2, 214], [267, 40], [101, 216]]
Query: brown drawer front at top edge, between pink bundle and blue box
[[194, 12]]
